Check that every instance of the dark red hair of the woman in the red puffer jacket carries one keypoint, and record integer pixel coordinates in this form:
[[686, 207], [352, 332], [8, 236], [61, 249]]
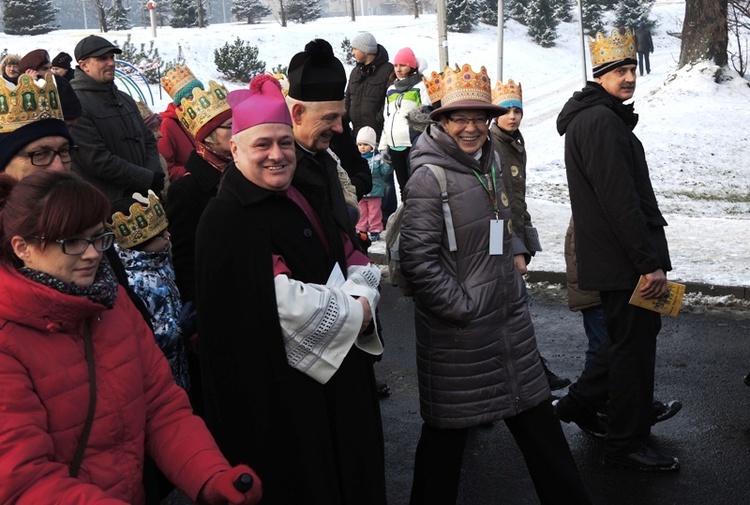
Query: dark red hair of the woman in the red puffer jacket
[[53, 205]]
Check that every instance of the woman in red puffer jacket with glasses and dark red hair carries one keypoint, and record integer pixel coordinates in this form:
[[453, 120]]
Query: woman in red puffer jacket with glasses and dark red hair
[[62, 316]]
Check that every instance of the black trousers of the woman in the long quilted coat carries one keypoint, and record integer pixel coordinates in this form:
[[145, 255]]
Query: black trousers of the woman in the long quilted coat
[[437, 466]]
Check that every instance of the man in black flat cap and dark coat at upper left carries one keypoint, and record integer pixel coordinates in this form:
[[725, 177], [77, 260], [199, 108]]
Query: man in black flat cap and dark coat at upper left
[[118, 153]]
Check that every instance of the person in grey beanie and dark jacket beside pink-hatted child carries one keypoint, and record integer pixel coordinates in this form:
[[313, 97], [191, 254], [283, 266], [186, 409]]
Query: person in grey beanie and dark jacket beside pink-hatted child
[[368, 82]]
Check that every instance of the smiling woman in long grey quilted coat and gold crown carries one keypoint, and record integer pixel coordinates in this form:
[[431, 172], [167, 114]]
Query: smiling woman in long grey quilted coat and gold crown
[[477, 357]]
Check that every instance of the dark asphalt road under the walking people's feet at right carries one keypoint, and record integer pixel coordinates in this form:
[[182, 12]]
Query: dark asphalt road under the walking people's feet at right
[[701, 361]]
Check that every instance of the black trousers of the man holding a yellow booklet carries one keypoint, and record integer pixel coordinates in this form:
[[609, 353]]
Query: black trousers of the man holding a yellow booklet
[[621, 374]]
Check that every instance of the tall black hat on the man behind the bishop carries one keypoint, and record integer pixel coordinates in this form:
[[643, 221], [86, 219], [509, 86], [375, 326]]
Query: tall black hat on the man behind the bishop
[[316, 75]]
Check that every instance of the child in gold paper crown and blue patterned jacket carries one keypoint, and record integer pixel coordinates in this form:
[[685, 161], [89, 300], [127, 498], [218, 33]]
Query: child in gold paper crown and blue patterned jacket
[[142, 243]]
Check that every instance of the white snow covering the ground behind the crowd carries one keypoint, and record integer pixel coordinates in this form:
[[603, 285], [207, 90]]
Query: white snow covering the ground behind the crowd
[[694, 130]]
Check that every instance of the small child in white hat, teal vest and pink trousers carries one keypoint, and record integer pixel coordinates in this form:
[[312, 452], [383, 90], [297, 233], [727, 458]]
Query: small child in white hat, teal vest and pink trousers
[[370, 213]]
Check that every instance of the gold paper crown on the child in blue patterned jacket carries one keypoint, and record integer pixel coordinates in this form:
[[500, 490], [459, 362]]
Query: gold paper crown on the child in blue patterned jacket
[[147, 219]]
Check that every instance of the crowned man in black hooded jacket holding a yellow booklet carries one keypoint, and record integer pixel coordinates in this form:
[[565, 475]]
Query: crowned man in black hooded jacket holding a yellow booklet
[[619, 237]]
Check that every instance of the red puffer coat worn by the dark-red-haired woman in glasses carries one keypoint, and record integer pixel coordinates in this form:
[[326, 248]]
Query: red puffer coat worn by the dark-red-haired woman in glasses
[[44, 397]]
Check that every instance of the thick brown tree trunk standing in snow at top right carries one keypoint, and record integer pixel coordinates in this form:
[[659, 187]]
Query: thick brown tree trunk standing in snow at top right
[[704, 32]]
